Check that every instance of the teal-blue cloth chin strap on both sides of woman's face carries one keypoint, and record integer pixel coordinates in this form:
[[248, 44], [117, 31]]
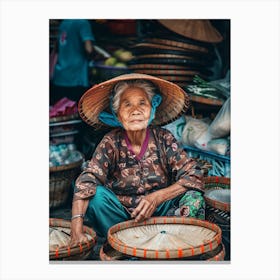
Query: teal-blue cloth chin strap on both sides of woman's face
[[112, 119]]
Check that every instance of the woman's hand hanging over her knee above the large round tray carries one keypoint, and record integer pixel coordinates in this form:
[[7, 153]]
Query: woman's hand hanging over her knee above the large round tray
[[146, 207]]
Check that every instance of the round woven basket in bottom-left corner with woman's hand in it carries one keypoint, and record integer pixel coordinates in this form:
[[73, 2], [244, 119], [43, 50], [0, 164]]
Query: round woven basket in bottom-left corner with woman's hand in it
[[59, 238]]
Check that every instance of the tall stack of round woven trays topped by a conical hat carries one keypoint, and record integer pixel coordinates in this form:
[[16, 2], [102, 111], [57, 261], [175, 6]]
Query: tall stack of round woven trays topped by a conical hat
[[173, 55]]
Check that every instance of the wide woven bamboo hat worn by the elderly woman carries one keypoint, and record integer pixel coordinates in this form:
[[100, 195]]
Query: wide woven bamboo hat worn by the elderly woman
[[174, 102]]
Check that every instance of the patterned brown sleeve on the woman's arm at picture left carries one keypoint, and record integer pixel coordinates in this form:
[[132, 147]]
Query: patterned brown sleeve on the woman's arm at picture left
[[95, 171]]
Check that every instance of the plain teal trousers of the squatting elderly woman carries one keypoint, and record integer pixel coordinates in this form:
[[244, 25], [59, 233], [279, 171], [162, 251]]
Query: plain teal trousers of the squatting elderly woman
[[105, 210]]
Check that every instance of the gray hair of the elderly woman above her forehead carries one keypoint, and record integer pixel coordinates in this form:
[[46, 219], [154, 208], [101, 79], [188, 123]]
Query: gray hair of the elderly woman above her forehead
[[122, 86]]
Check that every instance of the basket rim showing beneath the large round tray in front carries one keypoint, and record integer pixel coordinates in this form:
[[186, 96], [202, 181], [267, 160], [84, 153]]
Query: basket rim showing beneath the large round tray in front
[[107, 253]]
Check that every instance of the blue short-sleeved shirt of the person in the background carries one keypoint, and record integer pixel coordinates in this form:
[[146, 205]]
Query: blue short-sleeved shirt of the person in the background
[[72, 65]]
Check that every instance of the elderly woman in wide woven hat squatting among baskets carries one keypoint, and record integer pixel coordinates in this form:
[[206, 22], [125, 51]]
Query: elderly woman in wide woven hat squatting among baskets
[[138, 170]]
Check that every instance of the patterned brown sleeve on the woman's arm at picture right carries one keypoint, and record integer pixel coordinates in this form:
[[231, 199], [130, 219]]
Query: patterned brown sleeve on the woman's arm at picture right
[[183, 169]]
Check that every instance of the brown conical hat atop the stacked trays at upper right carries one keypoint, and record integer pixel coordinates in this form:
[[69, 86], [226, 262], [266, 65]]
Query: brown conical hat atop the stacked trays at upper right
[[201, 30]]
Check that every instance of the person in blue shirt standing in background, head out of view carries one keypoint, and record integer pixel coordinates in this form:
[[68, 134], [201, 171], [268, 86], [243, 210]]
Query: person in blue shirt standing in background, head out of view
[[74, 48]]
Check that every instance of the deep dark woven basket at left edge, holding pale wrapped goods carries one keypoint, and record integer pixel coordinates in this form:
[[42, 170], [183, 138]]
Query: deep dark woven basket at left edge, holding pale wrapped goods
[[60, 180]]
